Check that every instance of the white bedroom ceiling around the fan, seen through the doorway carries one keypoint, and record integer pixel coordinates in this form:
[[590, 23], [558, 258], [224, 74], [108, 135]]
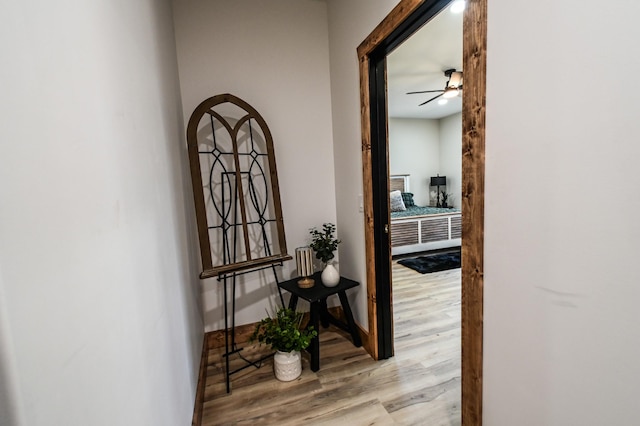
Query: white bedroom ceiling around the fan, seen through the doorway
[[419, 64]]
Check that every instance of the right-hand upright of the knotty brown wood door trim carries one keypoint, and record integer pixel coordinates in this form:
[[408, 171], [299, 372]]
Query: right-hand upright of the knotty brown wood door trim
[[473, 172]]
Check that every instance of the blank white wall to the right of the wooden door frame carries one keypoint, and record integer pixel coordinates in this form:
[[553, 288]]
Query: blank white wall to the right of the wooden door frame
[[562, 236]]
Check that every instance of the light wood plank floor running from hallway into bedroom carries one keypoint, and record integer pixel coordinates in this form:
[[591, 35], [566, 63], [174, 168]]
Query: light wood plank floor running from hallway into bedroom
[[420, 385]]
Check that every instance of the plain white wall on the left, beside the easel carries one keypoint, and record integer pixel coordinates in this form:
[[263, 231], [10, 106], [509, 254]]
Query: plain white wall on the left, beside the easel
[[100, 302]]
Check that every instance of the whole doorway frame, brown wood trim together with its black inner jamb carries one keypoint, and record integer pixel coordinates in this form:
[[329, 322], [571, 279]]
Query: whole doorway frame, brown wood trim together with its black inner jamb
[[404, 20]]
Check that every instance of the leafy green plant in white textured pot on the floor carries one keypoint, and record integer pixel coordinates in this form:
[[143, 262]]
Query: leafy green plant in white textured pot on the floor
[[284, 334]]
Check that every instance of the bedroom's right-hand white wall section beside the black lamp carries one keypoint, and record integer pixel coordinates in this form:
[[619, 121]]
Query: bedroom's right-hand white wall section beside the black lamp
[[451, 156]]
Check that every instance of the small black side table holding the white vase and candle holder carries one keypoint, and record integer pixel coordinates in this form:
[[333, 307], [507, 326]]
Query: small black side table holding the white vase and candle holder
[[317, 297]]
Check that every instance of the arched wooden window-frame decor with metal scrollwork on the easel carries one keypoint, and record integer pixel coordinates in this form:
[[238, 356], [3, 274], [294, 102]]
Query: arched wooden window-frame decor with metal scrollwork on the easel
[[235, 187]]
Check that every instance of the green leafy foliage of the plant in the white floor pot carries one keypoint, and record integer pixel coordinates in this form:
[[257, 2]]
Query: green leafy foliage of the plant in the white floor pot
[[283, 331]]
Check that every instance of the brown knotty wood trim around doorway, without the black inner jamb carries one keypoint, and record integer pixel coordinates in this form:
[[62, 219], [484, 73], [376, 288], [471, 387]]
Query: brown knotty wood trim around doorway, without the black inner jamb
[[473, 165]]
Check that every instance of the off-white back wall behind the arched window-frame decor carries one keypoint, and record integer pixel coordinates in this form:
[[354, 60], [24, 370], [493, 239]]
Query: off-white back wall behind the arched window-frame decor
[[275, 56]]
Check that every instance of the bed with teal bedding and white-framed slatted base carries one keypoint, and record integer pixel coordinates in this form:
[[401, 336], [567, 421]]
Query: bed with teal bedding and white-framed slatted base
[[417, 228]]
